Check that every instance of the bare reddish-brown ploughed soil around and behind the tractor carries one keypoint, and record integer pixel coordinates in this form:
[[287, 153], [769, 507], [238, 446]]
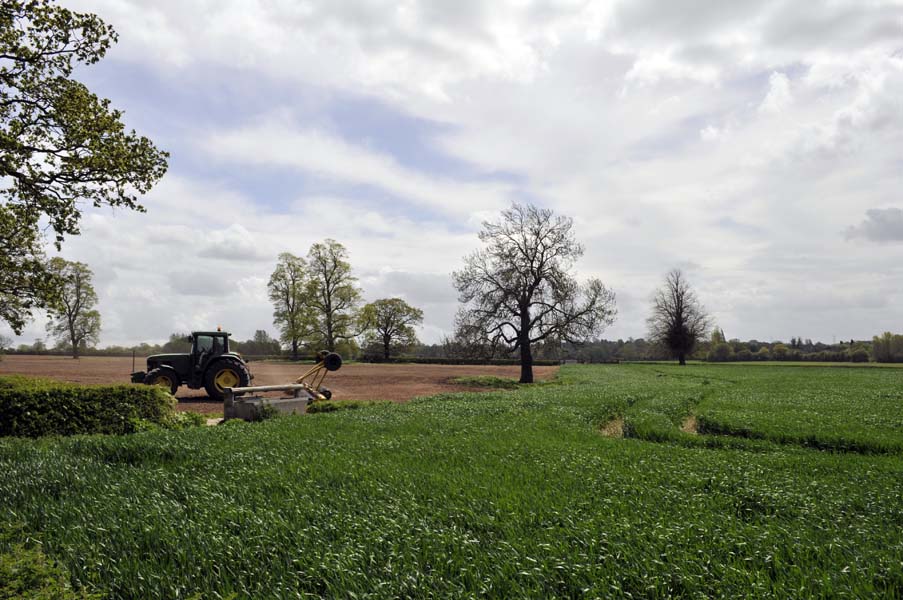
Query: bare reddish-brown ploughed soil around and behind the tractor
[[398, 383]]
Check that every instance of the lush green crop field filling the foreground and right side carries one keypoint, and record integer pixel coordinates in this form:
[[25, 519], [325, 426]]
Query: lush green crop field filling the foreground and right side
[[794, 488]]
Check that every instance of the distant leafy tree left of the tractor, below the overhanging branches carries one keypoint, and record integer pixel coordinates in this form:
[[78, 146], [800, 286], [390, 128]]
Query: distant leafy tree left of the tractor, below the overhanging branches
[[74, 321]]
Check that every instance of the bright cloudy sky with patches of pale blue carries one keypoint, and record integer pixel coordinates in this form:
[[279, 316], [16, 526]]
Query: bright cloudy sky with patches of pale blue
[[758, 146]]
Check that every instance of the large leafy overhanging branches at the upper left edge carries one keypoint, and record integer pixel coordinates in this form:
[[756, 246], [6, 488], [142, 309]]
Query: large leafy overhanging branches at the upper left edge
[[61, 147]]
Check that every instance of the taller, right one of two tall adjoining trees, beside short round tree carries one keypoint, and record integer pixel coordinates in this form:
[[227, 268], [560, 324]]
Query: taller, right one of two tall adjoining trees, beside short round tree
[[332, 294]]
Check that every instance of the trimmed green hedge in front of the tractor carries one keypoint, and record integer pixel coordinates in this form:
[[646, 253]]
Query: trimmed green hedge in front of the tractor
[[37, 407]]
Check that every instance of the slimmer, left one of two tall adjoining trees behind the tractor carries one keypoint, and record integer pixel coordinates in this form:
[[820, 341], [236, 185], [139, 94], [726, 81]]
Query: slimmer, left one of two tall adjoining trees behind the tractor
[[287, 289]]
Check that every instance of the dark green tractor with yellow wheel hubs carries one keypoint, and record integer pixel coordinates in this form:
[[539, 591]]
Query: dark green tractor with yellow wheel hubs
[[209, 365]]
